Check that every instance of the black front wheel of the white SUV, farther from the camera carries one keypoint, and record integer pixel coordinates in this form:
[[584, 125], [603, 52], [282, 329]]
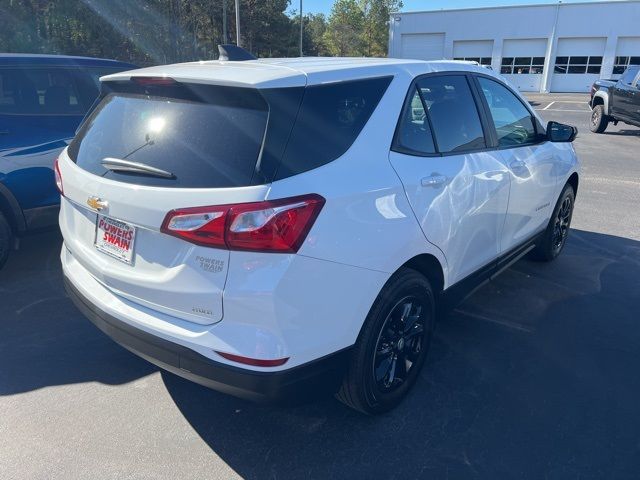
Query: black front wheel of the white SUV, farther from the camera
[[555, 235]]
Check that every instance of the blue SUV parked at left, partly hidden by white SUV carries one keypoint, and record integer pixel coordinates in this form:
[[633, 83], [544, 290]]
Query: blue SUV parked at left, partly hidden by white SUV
[[43, 99]]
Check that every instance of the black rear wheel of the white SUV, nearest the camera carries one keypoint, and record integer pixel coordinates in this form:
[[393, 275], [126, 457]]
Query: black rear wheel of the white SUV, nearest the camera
[[398, 329]]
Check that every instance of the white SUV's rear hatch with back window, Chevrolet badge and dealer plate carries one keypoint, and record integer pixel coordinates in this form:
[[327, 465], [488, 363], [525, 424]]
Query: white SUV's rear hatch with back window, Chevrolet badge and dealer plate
[[152, 146]]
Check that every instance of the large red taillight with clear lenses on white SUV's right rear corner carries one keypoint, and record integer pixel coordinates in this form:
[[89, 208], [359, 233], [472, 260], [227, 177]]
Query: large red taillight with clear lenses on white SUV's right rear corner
[[269, 226]]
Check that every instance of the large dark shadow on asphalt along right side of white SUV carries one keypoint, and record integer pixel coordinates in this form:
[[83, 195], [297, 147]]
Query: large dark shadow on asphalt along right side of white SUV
[[533, 376]]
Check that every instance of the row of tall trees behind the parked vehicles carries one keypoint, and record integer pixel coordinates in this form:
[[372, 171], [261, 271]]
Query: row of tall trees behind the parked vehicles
[[147, 32]]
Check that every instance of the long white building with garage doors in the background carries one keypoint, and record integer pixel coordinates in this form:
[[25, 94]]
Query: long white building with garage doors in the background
[[547, 48]]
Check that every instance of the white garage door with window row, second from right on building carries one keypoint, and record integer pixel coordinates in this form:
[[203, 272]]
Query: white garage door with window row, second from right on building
[[577, 64]]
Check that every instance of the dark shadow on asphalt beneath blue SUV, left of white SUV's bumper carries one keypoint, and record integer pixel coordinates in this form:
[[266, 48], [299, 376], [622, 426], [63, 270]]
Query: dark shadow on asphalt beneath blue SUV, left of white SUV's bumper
[[44, 339]]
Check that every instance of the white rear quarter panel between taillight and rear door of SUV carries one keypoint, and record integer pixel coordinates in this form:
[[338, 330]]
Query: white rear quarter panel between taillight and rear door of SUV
[[367, 221]]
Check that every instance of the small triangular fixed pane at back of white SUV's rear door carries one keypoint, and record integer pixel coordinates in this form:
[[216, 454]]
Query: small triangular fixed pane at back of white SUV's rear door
[[414, 135]]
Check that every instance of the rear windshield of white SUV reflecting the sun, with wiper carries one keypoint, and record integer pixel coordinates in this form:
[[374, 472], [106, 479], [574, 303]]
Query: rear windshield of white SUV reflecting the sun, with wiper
[[206, 141]]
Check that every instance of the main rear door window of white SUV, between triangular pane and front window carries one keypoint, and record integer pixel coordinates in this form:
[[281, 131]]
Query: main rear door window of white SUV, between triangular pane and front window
[[453, 113]]
